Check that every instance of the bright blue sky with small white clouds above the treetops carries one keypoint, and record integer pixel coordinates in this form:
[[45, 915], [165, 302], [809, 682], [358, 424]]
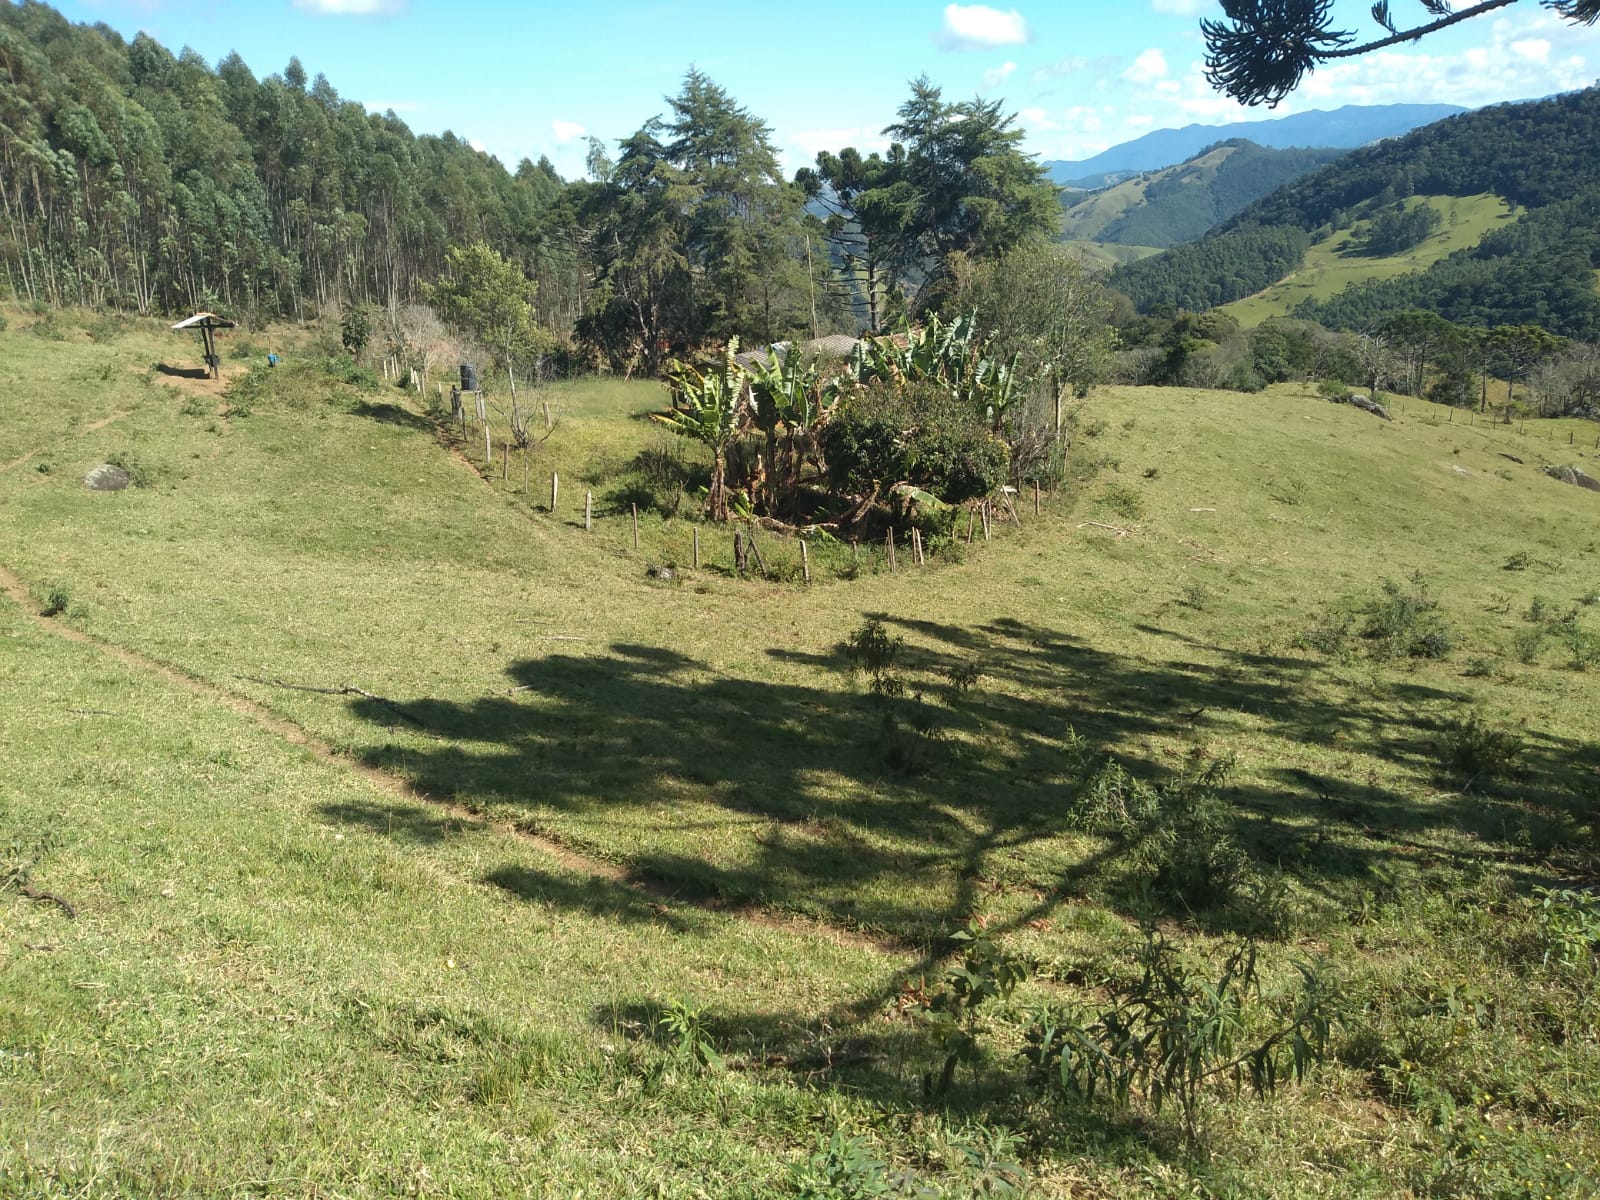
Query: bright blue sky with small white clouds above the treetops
[[530, 79]]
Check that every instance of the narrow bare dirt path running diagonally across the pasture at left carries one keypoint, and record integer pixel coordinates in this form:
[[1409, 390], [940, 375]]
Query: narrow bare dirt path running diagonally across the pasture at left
[[399, 788]]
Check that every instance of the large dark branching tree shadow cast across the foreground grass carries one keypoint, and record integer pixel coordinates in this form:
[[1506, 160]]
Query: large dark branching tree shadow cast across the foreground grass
[[908, 815]]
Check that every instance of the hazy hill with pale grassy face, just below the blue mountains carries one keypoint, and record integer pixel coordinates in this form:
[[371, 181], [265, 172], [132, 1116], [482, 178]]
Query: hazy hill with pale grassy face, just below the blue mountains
[[1183, 202]]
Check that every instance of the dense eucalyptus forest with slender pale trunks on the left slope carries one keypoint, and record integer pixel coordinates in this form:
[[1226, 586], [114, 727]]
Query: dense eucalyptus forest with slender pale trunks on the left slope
[[151, 182]]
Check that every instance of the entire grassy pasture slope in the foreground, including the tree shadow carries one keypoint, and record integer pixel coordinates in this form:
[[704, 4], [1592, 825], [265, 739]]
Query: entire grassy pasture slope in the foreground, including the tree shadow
[[398, 810]]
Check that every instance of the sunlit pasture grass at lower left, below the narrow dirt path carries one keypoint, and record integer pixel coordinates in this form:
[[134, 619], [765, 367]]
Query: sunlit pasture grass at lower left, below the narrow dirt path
[[286, 982]]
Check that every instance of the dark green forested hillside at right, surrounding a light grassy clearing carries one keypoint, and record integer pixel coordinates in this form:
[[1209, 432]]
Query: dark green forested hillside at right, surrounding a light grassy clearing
[[1542, 270]]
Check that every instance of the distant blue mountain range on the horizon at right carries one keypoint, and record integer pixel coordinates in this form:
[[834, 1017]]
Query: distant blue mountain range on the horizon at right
[[1345, 129]]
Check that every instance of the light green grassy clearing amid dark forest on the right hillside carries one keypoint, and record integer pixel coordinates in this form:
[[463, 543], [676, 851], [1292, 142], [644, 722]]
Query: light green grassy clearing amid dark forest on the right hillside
[[1332, 265]]
